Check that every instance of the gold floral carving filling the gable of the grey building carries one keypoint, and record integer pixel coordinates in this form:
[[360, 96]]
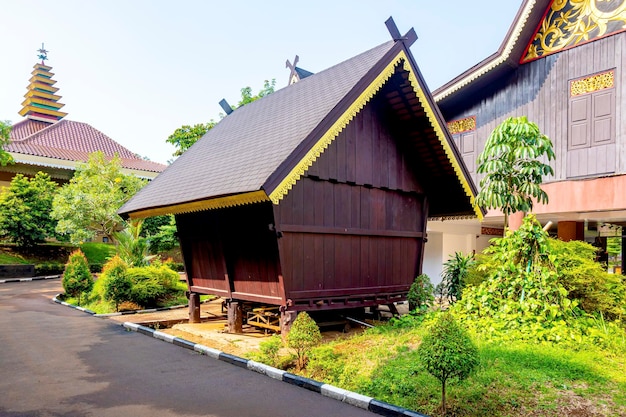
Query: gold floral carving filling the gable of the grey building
[[572, 22]]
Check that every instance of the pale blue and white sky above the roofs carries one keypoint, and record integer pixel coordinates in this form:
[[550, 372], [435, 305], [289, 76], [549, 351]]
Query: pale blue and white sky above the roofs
[[137, 70]]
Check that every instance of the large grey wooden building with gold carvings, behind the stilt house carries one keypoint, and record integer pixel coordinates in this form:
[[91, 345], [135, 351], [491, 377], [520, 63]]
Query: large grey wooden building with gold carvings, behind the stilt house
[[563, 65]]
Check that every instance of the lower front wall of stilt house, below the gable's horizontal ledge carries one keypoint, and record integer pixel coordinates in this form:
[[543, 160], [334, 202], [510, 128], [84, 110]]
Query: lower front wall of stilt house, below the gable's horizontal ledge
[[372, 240]]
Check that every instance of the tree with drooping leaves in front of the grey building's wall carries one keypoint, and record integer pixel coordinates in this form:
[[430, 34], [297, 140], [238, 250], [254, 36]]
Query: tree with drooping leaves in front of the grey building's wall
[[512, 162]]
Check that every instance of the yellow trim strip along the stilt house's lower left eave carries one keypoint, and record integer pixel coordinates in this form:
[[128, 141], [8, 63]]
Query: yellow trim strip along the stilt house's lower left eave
[[215, 203]]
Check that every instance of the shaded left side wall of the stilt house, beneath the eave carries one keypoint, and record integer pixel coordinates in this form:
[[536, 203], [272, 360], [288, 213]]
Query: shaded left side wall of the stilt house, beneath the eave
[[236, 241]]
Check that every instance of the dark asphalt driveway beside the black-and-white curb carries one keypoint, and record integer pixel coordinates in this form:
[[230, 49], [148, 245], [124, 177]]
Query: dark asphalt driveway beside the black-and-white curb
[[57, 361]]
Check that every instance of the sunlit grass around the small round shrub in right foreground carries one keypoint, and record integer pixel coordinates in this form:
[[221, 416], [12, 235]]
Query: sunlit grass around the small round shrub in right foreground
[[513, 378]]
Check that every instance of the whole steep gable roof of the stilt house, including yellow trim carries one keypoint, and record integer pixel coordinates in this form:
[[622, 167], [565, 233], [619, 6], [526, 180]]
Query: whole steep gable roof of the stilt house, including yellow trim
[[259, 152]]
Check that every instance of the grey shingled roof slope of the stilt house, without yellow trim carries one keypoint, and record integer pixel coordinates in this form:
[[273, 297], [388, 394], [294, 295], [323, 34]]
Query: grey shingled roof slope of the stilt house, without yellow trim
[[243, 150]]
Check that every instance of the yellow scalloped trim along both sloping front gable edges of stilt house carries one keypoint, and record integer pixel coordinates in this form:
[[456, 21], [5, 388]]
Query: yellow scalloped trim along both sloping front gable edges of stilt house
[[322, 144]]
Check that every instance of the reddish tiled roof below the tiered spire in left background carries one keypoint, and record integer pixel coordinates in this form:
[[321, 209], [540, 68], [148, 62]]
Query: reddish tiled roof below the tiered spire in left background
[[71, 141]]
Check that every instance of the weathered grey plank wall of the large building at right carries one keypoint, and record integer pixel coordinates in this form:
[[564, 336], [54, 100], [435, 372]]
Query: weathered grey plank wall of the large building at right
[[540, 90]]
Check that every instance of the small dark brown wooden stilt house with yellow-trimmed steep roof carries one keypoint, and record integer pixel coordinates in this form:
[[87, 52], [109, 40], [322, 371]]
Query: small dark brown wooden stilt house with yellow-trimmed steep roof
[[316, 197]]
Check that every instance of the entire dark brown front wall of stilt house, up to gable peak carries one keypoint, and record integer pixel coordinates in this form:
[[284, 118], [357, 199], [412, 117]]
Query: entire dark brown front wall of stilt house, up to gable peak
[[354, 223]]
